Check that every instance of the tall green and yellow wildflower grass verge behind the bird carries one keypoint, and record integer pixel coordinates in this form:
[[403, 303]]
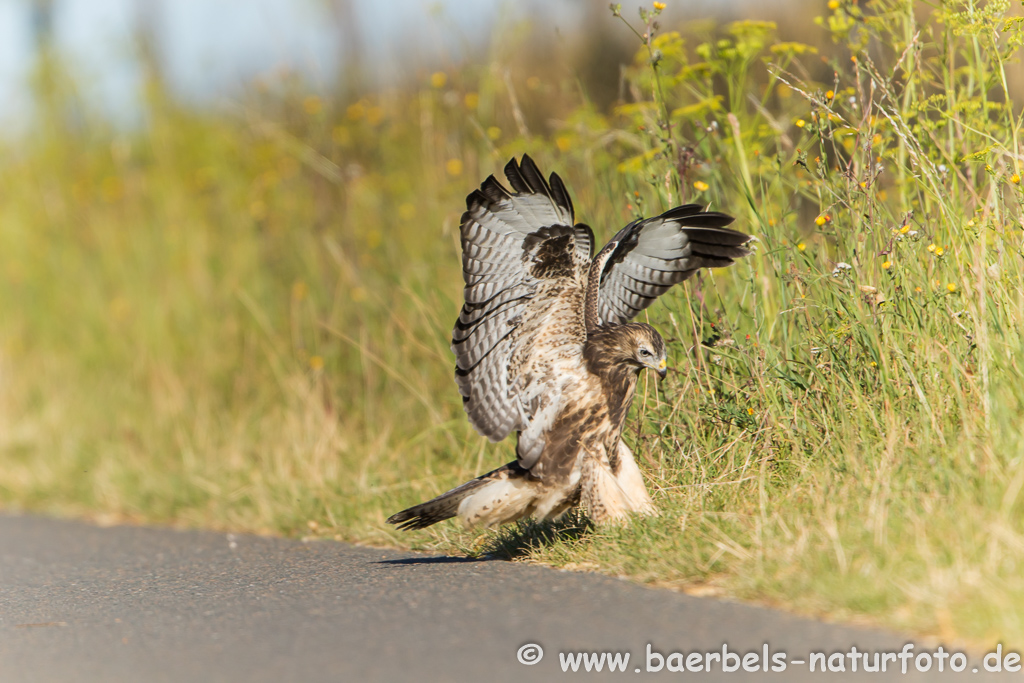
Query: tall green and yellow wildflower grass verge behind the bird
[[242, 321]]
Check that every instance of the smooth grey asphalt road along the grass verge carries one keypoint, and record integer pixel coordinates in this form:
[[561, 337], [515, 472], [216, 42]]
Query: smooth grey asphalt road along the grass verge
[[84, 604]]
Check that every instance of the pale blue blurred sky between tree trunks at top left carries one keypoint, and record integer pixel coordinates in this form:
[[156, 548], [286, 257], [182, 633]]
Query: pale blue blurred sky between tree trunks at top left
[[211, 49]]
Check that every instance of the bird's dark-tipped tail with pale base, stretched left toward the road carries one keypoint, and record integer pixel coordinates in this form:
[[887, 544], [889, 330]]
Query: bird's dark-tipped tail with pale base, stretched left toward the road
[[450, 504]]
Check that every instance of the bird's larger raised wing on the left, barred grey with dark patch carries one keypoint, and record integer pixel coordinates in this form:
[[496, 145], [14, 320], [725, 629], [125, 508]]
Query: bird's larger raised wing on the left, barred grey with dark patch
[[525, 264]]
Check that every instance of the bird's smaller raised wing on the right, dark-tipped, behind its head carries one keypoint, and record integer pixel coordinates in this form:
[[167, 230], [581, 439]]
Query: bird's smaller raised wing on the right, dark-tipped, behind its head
[[649, 257]]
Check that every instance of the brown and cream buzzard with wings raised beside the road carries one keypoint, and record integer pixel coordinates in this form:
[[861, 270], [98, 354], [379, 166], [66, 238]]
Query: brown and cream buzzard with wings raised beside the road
[[545, 347]]
